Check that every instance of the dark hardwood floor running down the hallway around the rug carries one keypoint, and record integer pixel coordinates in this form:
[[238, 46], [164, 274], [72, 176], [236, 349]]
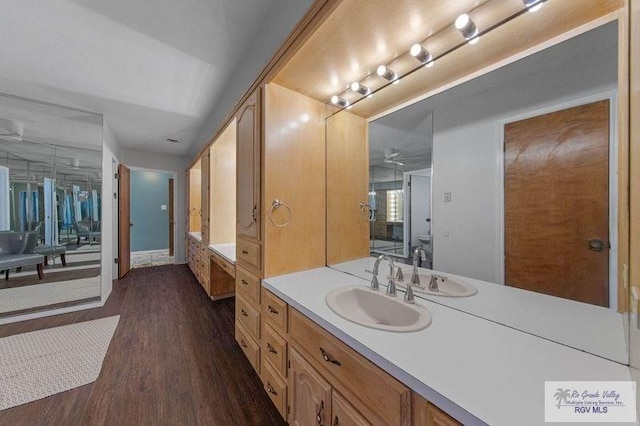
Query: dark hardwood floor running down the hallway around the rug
[[173, 361]]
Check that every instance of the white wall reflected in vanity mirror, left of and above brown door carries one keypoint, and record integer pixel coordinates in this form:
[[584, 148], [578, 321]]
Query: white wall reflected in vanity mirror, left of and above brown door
[[466, 145]]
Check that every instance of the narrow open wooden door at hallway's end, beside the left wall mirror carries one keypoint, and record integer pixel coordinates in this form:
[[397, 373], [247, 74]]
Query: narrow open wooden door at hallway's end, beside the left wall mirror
[[124, 220]]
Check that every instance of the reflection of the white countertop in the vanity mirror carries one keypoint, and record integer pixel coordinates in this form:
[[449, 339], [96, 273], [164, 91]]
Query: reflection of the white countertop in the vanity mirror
[[565, 321]]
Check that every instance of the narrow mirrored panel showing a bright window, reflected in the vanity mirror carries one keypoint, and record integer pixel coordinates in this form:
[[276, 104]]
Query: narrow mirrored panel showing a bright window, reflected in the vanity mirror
[[400, 184]]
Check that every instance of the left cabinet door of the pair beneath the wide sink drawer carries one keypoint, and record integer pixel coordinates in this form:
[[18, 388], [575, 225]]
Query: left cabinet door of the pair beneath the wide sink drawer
[[309, 394]]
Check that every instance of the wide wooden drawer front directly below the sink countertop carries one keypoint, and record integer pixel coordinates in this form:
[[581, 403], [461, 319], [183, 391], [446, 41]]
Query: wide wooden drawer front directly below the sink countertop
[[373, 392]]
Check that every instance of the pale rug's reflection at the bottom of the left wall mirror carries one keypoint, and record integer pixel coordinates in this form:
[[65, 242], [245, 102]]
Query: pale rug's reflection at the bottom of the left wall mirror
[[20, 298]]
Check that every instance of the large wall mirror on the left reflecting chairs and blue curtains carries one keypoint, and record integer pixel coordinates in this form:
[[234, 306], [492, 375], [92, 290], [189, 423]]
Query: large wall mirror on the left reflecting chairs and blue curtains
[[50, 198]]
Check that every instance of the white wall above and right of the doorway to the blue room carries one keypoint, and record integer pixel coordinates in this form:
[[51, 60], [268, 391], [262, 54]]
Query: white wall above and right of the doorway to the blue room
[[172, 164]]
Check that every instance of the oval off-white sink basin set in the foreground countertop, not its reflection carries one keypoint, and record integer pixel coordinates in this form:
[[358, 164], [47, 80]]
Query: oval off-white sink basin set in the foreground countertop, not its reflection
[[374, 309]]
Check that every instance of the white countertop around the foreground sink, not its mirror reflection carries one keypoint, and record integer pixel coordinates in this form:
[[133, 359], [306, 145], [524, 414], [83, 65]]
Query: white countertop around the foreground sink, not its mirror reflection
[[475, 370]]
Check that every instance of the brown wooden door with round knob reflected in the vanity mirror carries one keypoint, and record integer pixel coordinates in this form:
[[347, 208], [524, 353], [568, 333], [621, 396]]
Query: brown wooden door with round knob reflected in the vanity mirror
[[557, 203]]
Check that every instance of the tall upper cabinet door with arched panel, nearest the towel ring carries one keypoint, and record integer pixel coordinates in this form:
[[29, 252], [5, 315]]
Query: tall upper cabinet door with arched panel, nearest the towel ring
[[248, 168]]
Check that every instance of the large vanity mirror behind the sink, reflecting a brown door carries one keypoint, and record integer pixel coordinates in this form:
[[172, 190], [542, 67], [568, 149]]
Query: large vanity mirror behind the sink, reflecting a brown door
[[508, 182]]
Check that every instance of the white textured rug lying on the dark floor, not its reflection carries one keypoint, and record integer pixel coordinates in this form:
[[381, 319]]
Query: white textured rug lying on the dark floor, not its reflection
[[45, 362]]
